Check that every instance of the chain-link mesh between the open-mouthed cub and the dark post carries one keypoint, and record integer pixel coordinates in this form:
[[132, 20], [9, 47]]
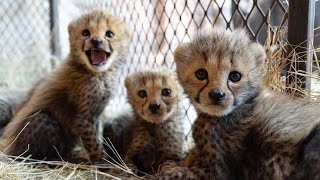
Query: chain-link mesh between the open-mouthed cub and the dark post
[[160, 25]]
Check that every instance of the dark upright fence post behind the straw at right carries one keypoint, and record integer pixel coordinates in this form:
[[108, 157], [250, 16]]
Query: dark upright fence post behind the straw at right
[[300, 37]]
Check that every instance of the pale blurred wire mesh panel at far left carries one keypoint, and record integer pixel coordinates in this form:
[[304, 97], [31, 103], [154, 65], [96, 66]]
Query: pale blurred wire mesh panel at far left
[[25, 34]]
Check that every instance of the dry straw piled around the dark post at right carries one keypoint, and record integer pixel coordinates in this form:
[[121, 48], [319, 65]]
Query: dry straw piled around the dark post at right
[[281, 65]]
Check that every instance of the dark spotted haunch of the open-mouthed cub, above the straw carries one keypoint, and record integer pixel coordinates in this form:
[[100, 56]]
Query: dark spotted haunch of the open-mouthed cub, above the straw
[[41, 146]]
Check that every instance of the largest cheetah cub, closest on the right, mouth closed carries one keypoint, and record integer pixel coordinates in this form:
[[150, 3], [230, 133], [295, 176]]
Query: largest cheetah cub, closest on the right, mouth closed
[[243, 130]]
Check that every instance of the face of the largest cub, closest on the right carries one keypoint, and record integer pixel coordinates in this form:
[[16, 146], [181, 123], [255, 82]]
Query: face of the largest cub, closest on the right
[[220, 70]]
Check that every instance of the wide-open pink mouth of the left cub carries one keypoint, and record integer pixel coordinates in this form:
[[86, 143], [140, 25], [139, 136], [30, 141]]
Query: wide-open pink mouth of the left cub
[[97, 57]]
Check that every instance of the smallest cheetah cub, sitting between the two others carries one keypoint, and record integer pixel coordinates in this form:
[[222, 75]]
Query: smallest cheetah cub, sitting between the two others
[[157, 136]]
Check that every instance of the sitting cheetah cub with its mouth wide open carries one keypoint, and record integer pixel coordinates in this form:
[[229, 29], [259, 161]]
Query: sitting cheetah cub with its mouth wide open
[[63, 107]]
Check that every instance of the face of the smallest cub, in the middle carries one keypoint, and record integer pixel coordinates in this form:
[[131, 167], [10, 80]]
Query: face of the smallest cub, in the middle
[[153, 94]]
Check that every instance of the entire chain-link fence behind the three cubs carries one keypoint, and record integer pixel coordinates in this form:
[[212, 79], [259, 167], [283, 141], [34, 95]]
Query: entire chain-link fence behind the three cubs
[[158, 27]]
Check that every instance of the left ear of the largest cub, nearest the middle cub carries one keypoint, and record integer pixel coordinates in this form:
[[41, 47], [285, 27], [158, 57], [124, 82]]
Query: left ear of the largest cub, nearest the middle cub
[[182, 53]]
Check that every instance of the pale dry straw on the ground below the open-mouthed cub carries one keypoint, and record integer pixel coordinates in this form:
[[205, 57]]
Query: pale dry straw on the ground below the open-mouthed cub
[[18, 167]]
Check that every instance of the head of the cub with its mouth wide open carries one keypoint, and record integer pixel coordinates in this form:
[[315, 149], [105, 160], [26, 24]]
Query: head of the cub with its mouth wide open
[[98, 40]]
